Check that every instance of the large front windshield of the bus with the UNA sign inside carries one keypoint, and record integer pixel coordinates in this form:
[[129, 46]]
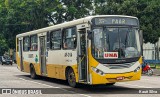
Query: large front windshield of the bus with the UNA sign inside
[[114, 43]]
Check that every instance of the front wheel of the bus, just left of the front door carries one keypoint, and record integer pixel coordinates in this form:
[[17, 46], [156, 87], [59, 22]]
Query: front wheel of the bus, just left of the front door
[[71, 78]]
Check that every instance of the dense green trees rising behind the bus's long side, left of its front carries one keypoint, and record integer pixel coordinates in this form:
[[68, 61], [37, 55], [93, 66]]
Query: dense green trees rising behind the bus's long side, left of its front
[[20, 16]]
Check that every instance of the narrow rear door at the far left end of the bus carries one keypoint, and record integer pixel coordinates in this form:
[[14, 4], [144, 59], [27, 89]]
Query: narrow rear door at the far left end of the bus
[[21, 54]]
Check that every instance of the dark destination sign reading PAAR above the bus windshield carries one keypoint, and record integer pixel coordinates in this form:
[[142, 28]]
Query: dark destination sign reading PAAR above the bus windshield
[[115, 21]]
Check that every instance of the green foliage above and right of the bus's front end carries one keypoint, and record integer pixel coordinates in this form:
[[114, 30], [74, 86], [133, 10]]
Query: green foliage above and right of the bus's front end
[[146, 10]]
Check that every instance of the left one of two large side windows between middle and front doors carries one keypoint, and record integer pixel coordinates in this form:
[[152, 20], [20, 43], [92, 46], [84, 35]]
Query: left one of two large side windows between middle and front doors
[[55, 40]]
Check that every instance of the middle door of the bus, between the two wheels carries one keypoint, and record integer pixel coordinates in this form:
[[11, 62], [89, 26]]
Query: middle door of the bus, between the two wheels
[[42, 55]]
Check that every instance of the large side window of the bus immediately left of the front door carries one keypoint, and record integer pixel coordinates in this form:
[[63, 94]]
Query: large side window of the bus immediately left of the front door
[[69, 38]]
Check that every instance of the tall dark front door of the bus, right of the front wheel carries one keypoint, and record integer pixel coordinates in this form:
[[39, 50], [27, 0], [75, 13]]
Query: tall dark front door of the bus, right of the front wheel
[[82, 55]]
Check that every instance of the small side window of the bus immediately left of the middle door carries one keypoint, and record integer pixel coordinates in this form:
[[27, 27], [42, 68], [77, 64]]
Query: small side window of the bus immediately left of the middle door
[[34, 43]]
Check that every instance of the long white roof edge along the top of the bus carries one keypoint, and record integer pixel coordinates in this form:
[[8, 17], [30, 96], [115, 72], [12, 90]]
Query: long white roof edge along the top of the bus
[[68, 24]]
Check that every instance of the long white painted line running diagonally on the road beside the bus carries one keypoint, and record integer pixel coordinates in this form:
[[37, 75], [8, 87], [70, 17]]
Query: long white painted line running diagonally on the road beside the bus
[[55, 87]]
